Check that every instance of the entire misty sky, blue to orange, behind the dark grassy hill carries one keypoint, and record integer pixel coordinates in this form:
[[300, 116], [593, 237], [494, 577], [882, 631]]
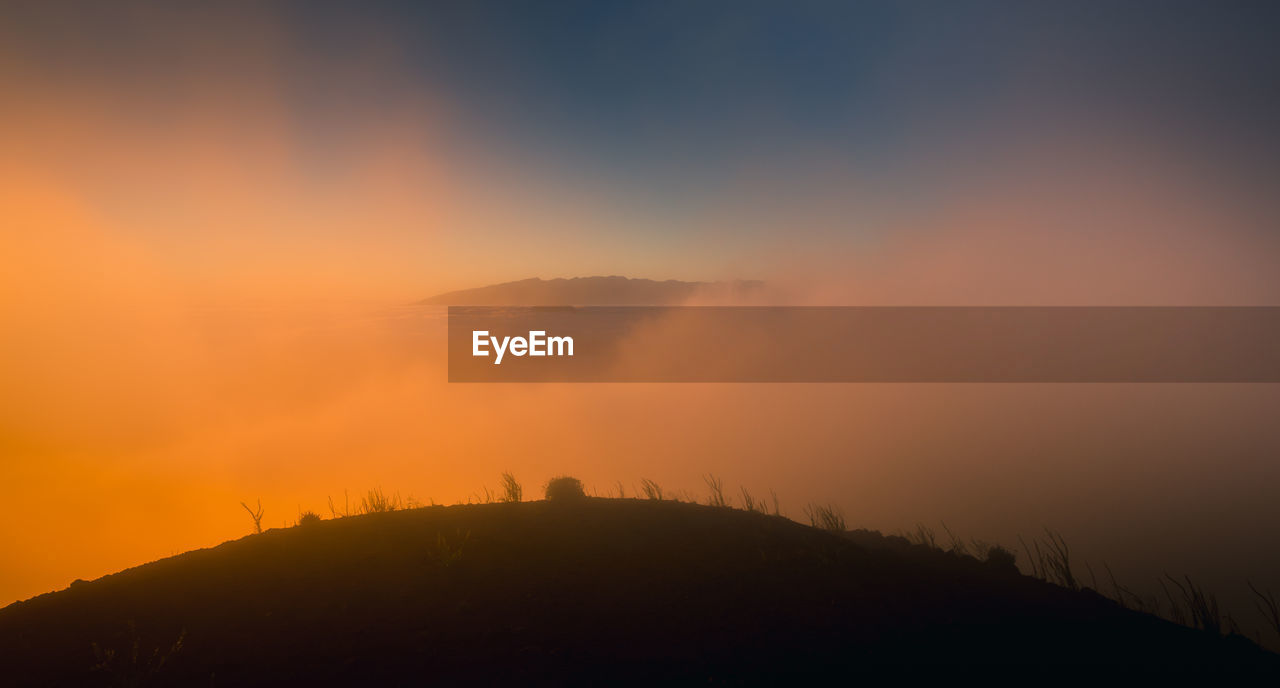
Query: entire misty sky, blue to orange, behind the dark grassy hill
[[213, 218]]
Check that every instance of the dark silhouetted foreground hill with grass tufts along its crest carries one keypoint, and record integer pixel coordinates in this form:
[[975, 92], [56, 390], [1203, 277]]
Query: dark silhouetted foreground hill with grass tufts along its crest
[[598, 590]]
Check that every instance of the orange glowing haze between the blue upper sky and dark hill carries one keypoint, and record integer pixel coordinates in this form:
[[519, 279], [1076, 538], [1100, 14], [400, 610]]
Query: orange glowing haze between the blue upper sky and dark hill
[[198, 314]]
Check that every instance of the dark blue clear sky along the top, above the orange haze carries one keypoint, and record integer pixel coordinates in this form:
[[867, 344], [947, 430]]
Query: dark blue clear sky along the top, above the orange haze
[[642, 89]]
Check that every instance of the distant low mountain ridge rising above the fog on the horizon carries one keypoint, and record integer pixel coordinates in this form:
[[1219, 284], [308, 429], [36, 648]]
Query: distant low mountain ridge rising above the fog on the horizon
[[600, 291]]
